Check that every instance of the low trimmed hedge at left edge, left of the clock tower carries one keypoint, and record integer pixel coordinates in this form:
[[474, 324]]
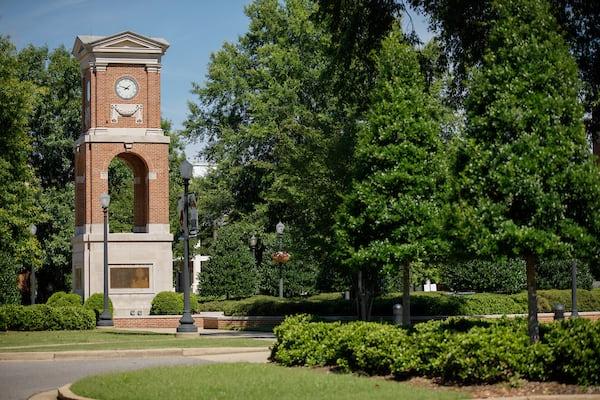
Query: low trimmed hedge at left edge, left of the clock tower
[[42, 317]]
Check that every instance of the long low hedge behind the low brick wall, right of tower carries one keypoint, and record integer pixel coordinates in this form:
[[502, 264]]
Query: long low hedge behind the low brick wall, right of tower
[[422, 304]]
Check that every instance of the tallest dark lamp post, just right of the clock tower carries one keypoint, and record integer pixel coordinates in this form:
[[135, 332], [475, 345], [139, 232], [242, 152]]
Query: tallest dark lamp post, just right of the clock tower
[[186, 323]]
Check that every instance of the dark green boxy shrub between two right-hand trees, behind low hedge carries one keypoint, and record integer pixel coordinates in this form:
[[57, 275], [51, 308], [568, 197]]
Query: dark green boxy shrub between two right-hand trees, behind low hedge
[[503, 276]]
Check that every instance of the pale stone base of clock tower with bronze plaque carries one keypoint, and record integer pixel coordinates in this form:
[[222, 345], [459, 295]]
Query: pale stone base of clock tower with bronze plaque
[[140, 266]]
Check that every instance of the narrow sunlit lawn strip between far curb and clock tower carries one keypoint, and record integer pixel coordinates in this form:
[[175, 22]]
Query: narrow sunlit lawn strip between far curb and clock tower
[[111, 340]]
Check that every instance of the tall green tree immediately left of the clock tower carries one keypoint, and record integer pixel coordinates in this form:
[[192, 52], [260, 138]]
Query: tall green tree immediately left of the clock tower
[[54, 125]]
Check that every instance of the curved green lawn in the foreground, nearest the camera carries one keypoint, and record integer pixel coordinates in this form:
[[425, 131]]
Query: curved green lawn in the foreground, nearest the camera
[[247, 381]]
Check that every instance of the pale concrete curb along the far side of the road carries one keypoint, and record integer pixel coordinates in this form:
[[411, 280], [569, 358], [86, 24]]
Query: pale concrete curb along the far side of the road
[[94, 354]]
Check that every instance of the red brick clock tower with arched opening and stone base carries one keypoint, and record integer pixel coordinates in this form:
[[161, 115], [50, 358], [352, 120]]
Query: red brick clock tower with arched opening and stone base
[[121, 119]]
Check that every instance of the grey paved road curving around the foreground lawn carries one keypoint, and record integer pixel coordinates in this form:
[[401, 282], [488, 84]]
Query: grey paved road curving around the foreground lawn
[[21, 379]]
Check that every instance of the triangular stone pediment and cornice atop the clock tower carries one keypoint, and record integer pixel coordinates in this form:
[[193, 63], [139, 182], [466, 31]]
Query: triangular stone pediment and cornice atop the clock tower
[[119, 47]]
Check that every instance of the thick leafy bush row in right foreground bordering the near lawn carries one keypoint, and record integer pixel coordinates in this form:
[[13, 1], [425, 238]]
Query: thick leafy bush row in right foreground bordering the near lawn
[[459, 350]]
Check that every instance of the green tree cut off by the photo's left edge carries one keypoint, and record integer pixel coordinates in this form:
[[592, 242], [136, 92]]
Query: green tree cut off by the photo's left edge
[[19, 193]]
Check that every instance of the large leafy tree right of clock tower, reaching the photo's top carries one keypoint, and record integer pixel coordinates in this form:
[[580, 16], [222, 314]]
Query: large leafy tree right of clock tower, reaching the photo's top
[[266, 114]]
